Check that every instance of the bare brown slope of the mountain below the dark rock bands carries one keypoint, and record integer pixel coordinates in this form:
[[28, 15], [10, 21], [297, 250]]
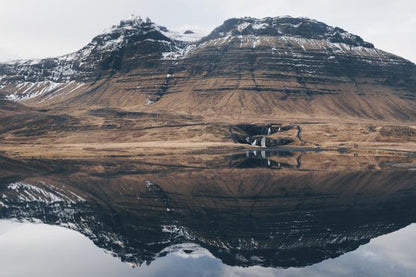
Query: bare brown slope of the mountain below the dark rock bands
[[233, 100]]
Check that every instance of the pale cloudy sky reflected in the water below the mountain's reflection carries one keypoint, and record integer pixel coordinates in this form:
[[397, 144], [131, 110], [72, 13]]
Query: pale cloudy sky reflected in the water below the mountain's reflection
[[45, 250]]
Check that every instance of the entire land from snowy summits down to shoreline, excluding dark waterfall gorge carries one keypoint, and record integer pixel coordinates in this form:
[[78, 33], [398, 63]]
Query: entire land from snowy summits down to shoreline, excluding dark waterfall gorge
[[140, 82]]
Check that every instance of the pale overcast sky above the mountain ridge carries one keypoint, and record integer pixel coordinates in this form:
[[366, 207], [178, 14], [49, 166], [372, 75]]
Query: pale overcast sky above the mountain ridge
[[44, 28]]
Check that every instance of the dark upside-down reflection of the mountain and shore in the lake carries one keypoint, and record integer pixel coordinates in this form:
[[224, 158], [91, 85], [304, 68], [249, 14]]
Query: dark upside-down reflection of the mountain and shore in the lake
[[318, 206]]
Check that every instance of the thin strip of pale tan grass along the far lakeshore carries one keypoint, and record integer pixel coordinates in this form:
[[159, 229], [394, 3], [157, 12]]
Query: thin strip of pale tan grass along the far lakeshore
[[172, 148]]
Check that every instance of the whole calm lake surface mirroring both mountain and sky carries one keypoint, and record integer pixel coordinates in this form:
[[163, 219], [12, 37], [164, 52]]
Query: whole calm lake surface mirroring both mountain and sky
[[259, 213]]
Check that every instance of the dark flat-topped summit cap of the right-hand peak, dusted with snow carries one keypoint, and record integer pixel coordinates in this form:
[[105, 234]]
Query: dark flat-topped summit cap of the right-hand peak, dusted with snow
[[300, 27]]
